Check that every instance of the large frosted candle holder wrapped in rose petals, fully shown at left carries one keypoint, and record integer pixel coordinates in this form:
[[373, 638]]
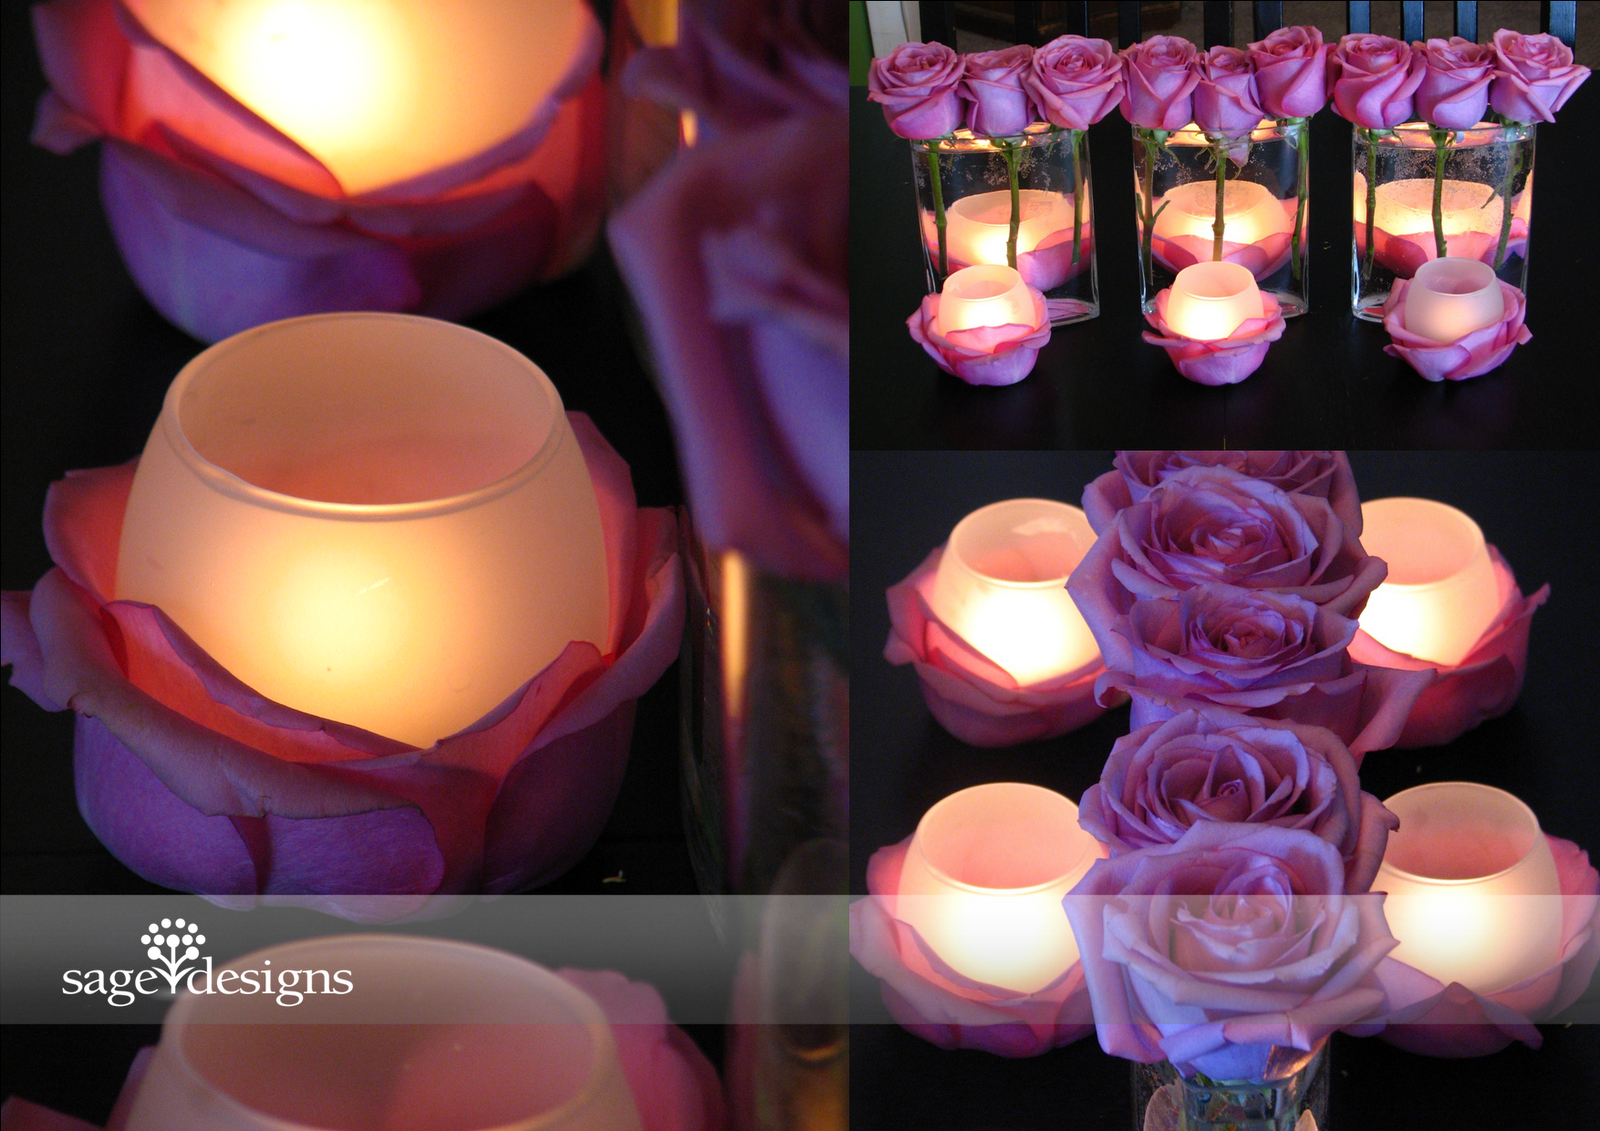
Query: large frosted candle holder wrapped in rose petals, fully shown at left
[[204, 783]]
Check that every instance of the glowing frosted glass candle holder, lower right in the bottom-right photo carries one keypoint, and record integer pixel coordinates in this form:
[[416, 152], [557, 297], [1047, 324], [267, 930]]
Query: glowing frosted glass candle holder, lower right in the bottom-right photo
[[1473, 887]]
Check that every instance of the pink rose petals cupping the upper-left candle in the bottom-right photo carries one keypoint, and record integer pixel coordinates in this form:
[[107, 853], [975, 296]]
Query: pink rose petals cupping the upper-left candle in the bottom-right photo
[[972, 697]]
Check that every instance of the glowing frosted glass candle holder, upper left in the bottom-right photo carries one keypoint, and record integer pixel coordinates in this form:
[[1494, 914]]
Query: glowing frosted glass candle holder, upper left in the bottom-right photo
[[1002, 586]]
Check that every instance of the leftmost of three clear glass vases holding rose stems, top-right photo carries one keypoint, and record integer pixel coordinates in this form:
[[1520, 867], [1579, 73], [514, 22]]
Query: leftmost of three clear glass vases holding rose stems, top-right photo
[[969, 214]]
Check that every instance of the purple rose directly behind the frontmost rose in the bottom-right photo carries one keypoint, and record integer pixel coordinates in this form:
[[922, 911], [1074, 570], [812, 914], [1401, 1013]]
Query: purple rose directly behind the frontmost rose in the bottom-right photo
[[1215, 765]]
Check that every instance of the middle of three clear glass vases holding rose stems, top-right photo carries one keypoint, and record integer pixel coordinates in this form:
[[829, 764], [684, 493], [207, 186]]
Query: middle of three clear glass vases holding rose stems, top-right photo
[[1246, 201]]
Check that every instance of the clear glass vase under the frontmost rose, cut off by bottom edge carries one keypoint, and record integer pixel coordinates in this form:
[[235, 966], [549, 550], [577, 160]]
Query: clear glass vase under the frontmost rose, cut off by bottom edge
[[1294, 1101]]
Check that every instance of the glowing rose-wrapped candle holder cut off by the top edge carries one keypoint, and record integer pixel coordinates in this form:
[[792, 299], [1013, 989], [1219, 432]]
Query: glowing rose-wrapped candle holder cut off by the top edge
[[265, 161]]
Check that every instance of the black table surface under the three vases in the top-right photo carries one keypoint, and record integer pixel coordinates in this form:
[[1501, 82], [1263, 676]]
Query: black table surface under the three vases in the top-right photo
[[1326, 385]]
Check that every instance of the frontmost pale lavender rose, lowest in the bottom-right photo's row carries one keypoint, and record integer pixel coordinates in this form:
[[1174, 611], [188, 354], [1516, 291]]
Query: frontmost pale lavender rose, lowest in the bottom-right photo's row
[[1230, 951]]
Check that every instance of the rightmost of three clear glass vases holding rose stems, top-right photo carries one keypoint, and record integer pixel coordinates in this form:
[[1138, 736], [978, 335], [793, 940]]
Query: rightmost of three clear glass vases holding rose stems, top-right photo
[[1425, 193]]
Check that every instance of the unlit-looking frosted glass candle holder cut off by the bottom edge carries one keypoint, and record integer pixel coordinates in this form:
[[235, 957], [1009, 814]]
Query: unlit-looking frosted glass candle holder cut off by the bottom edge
[[430, 1036]]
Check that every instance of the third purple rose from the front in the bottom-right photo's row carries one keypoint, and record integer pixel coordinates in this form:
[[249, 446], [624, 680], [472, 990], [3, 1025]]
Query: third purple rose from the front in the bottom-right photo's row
[[1260, 653]]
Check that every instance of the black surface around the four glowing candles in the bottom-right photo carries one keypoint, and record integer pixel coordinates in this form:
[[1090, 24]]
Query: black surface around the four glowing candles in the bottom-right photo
[[1543, 513]]
